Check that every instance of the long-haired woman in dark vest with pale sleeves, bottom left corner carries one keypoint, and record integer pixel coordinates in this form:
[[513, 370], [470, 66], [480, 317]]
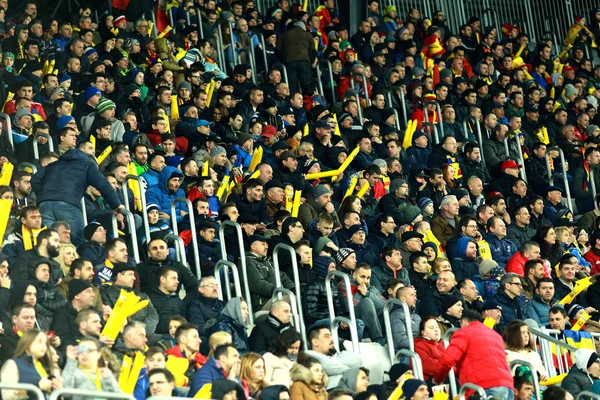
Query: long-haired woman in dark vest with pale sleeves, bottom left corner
[[32, 363]]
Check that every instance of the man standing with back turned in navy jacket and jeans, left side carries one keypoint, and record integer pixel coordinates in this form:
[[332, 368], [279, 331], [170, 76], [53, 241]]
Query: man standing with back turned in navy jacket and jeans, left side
[[59, 199]]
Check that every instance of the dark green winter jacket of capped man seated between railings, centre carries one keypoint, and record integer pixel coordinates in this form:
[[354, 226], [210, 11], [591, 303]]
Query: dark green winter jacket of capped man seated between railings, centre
[[262, 281]]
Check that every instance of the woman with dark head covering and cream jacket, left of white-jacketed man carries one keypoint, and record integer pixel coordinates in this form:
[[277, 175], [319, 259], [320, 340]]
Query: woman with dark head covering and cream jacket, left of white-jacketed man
[[281, 357]]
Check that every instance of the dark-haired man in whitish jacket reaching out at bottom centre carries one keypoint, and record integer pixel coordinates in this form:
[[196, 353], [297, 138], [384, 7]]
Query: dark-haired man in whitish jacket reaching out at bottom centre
[[320, 343]]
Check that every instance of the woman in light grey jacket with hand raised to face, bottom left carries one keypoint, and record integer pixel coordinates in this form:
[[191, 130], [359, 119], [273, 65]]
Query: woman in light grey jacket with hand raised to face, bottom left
[[82, 370]]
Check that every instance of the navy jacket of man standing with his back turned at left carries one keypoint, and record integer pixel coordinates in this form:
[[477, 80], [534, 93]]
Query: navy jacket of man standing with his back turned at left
[[67, 179]]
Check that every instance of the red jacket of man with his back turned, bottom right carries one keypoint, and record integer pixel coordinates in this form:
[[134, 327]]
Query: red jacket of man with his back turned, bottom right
[[478, 353]]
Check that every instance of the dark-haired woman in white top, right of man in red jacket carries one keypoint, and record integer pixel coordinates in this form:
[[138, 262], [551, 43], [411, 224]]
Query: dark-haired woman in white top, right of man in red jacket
[[519, 346]]
